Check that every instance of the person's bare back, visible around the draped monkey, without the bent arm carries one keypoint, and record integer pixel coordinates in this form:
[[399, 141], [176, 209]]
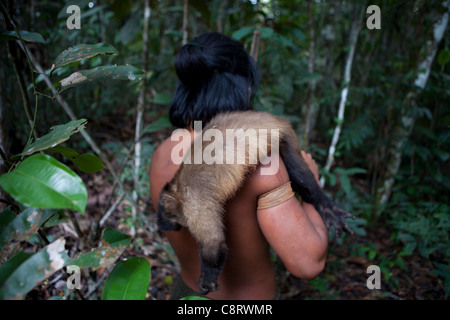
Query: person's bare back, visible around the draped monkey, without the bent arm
[[248, 272]]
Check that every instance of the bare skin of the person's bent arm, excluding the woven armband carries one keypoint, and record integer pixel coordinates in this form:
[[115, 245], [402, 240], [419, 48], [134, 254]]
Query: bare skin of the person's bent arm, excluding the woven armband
[[295, 231]]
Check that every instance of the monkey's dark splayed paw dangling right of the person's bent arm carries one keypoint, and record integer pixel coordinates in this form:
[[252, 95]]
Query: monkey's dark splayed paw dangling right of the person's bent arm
[[333, 216]]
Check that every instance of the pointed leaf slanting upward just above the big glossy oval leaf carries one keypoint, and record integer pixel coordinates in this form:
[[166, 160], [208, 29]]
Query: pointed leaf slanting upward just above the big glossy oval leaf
[[57, 135]]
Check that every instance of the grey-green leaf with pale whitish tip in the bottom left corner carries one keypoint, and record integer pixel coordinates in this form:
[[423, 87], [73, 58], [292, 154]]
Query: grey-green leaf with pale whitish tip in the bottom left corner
[[23, 272]]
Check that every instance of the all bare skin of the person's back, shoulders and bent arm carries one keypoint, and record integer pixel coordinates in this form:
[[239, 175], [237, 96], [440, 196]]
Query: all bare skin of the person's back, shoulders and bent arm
[[294, 230]]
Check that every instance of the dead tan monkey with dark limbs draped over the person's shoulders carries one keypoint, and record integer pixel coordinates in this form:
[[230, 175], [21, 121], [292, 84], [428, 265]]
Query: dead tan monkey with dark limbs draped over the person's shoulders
[[195, 198]]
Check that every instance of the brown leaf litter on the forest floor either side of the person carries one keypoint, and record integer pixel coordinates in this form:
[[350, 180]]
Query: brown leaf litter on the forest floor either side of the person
[[344, 276]]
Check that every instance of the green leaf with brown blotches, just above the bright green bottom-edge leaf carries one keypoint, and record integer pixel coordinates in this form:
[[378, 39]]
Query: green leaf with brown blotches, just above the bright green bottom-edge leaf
[[113, 244]]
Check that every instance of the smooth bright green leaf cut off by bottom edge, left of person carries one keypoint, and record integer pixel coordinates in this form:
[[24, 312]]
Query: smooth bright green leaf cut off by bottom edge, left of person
[[128, 280]]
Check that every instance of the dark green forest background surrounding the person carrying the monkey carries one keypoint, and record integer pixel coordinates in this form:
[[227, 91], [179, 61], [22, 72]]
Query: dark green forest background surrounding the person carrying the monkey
[[371, 105]]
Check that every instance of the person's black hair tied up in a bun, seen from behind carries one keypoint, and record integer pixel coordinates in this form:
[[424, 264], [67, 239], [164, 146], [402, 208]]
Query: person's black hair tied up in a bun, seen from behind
[[215, 75]]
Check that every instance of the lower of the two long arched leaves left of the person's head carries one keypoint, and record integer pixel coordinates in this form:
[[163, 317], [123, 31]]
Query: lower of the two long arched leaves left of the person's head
[[102, 73]]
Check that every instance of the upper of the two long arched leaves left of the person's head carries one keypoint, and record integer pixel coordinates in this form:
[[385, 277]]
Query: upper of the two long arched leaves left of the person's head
[[81, 52]]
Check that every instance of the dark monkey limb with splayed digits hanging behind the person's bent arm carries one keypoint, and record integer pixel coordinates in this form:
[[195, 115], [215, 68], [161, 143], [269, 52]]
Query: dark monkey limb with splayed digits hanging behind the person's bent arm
[[305, 184]]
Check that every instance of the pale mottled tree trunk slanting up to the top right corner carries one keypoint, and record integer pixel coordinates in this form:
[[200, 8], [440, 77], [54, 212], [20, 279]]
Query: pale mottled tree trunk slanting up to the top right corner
[[404, 127]]
